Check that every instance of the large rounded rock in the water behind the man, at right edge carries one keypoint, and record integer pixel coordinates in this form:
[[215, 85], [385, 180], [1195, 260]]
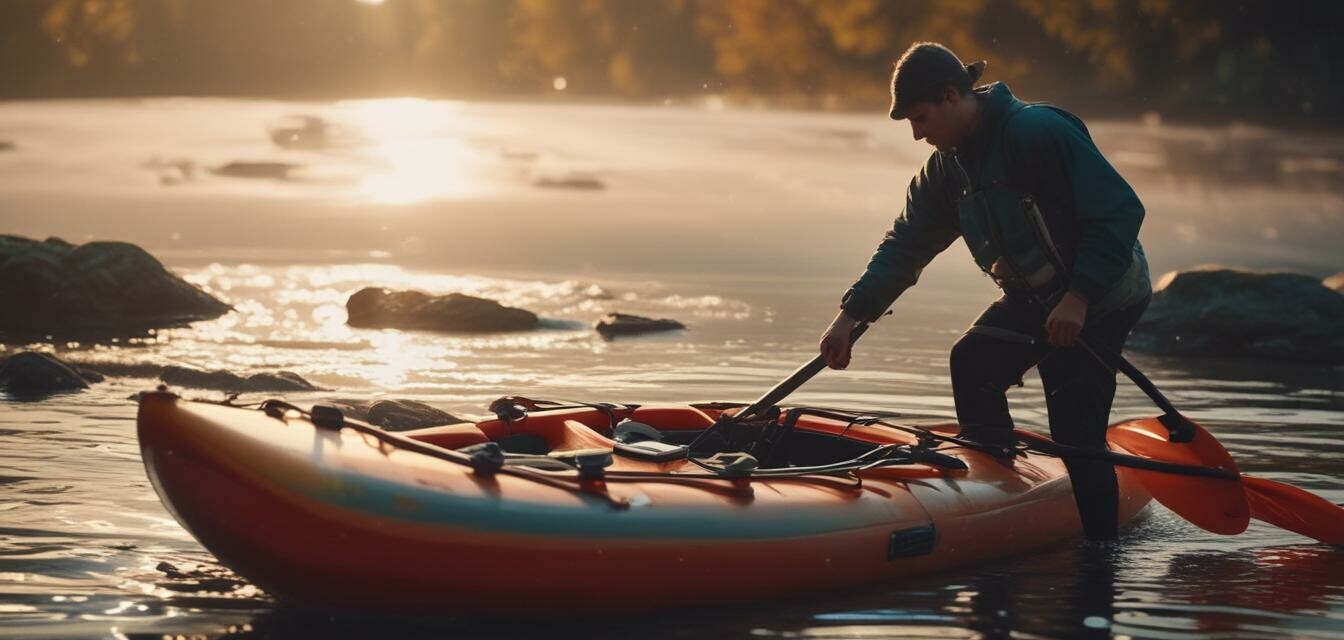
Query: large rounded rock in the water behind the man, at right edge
[[1230, 313]]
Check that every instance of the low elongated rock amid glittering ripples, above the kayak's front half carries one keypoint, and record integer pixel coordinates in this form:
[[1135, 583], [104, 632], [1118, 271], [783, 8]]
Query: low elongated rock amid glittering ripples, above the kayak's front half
[[381, 309]]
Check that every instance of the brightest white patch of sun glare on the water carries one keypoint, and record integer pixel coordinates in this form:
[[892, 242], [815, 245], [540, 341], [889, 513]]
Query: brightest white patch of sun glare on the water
[[417, 159]]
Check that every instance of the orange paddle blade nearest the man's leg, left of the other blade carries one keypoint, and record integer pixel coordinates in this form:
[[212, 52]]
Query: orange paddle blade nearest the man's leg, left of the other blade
[[1210, 504]]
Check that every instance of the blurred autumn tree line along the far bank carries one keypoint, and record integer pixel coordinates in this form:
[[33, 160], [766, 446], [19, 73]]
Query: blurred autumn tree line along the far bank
[[1260, 60]]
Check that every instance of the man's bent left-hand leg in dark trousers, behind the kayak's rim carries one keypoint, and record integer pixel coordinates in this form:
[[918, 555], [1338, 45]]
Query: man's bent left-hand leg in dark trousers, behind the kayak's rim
[[991, 357]]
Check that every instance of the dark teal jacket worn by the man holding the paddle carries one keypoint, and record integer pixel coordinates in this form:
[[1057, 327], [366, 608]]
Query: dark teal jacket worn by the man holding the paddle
[[1092, 212]]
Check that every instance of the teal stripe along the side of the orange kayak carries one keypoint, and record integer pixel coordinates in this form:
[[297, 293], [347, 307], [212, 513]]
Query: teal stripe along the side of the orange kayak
[[595, 518]]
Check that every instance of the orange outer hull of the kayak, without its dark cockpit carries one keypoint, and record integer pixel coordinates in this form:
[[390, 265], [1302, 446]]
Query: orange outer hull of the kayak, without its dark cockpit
[[337, 520]]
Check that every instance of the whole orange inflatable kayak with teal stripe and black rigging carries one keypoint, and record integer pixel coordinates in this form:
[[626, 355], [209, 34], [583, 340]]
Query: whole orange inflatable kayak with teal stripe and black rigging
[[562, 509]]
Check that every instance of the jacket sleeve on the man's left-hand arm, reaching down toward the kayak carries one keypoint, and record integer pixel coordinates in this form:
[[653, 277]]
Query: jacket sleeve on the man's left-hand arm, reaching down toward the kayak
[[925, 228]]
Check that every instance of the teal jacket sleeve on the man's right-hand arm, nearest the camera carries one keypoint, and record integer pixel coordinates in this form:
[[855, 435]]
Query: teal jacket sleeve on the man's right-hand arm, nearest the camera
[[1061, 157]]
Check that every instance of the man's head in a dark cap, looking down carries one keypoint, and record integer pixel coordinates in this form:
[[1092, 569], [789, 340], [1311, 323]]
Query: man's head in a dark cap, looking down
[[932, 89]]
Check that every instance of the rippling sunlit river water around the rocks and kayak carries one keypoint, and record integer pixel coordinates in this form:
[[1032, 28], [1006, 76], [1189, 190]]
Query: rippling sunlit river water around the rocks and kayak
[[744, 225]]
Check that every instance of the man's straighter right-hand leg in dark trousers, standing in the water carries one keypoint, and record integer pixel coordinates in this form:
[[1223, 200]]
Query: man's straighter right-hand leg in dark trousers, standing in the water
[[1079, 395]]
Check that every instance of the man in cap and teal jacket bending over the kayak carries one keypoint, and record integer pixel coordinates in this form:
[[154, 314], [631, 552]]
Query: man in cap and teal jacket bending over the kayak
[[1057, 228]]
